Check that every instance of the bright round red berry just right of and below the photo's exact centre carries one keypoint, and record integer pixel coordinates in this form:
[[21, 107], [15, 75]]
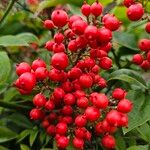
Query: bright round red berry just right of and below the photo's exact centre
[[86, 81]]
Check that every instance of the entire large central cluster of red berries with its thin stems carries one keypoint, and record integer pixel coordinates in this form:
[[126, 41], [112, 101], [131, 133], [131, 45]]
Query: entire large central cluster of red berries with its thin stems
[[73, 111]]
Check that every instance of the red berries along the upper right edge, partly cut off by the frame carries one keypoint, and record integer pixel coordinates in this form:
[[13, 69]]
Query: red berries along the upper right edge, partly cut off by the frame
[[135, 12]]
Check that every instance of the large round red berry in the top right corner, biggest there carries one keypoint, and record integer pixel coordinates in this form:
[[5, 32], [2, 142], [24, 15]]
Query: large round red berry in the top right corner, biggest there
[[135, 12]]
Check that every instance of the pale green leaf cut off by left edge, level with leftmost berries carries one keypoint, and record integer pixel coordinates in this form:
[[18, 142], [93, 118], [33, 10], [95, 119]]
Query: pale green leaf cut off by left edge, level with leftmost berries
[[5, 67]]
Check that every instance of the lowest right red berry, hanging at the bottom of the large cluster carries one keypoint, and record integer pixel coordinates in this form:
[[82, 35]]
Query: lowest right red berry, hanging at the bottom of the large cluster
[[108, 141]]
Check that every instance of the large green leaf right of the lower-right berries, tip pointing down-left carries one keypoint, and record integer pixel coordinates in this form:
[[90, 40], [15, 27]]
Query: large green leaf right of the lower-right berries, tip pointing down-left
[[140, 113]]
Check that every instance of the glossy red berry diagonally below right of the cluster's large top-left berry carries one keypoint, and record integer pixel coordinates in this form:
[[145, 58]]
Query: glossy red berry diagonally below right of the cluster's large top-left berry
[[79, 26]]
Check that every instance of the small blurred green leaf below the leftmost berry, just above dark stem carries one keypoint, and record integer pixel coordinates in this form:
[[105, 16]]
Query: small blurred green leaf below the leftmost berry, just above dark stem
[[10, 93]]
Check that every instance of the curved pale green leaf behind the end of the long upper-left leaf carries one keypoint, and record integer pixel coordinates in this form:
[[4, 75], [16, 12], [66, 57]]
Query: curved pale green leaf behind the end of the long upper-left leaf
[[28, 37]]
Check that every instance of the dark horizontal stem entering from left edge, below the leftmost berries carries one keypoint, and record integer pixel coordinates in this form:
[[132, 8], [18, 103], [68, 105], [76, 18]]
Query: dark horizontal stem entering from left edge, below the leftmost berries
[[10, 105]]
